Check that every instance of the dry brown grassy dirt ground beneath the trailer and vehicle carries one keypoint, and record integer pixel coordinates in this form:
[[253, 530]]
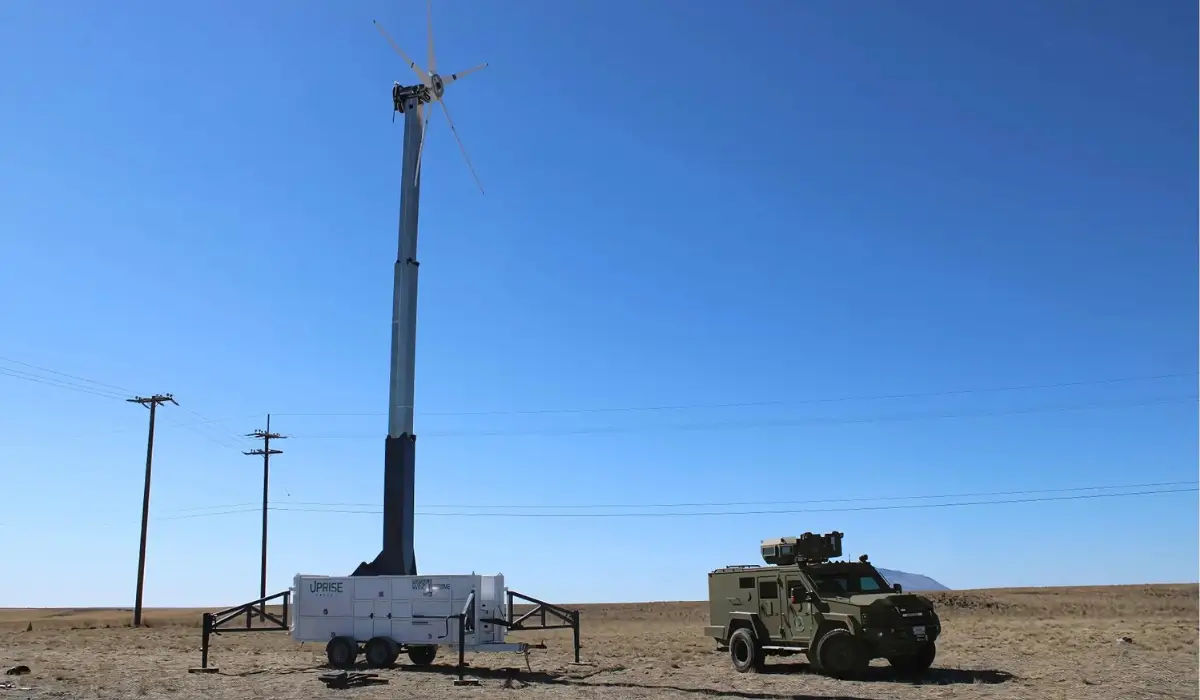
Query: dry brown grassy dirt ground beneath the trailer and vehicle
[[1036, 643]]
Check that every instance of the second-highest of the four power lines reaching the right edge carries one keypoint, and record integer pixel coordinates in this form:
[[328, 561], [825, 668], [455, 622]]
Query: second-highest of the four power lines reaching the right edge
[[778, 423]]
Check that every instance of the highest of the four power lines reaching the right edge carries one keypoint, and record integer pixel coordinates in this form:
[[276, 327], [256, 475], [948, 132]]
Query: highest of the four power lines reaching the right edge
[[782, 402]]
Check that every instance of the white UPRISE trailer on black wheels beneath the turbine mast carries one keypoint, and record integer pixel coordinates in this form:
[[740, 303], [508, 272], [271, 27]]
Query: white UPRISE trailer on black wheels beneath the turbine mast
[[385, 617]]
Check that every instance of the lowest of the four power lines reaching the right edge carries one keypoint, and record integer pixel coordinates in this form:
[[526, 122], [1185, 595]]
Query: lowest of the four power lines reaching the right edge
[[729, 513]]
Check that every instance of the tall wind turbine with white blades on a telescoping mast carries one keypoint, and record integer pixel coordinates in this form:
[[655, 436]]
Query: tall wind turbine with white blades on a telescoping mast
[[416, 103]]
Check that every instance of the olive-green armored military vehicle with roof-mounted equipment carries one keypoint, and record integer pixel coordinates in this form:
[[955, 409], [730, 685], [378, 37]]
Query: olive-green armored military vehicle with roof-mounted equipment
[[841, 614]]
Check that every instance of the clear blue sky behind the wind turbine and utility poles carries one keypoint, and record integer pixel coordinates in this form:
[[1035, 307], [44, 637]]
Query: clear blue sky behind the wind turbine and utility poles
[[687, 205]]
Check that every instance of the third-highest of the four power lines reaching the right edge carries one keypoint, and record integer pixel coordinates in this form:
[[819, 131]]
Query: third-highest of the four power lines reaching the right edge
[[713, 505]]
